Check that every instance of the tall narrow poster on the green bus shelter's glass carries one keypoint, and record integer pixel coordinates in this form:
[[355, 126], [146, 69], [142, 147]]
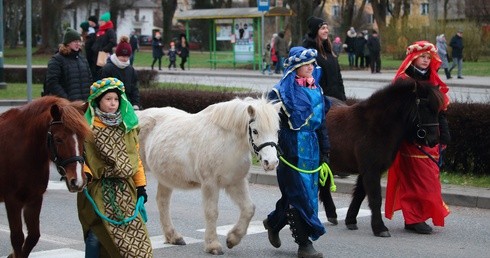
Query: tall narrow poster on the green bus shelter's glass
[[244, 41]]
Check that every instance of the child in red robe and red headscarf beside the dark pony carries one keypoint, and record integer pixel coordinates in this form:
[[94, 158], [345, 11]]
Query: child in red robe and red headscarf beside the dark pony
[[413, 178]]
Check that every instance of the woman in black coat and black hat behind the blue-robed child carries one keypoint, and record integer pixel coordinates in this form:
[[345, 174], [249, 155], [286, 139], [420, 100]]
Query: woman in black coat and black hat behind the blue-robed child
[[331, 80]]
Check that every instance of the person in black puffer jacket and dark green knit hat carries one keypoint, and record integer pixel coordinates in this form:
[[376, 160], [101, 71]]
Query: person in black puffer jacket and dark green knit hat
[[68, 74]]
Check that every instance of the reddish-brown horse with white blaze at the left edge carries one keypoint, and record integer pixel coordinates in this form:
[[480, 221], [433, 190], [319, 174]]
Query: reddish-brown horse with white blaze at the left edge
[[44, 135]]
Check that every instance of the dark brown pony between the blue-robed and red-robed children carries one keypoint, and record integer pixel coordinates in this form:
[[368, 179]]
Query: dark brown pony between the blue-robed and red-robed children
[[365, 138]]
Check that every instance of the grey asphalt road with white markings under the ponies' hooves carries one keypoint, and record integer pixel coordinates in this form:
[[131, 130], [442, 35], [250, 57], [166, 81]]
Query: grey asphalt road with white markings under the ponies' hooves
[[466, 234]]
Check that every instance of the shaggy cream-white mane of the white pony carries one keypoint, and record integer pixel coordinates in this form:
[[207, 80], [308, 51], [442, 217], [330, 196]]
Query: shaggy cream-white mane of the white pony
[[233, 114]]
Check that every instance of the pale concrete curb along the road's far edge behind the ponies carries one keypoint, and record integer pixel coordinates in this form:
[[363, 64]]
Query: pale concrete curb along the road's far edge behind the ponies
[[472, 197]]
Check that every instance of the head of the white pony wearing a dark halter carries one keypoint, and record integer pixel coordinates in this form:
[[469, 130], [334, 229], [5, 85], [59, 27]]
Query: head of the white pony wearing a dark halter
[[262, 129]]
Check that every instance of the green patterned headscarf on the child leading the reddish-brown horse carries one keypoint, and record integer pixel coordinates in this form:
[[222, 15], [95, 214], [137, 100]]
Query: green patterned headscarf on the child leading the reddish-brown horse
[[100, 87]]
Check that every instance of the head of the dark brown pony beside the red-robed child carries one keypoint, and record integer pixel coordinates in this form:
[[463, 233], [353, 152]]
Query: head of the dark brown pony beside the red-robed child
[[428, 103]]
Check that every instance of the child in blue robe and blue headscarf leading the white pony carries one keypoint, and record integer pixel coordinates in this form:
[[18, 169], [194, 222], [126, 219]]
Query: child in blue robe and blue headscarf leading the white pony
[[303, 138]]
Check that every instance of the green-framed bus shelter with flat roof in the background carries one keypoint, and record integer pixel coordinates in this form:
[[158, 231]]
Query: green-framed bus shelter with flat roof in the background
[[242, 27]]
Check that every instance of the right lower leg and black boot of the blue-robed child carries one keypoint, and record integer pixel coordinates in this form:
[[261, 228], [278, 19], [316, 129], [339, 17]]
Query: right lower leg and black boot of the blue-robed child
[[299, 228]]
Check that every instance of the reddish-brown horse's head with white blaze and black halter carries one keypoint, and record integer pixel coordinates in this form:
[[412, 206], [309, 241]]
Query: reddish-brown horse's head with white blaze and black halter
[[65, 137]]
